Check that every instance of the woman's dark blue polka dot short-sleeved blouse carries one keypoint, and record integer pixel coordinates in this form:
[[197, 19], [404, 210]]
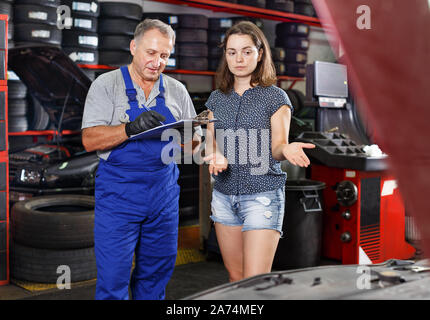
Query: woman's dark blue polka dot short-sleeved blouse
[[243, 133]]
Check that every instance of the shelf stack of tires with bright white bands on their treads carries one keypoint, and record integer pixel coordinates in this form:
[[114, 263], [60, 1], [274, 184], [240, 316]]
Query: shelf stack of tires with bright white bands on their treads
[[80, 39]]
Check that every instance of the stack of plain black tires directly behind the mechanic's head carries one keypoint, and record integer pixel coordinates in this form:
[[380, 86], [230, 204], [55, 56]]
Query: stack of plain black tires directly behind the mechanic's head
[[117, 23]]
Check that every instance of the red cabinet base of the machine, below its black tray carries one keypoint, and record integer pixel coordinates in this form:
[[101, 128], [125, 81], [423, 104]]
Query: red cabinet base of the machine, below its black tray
[[364, 216]]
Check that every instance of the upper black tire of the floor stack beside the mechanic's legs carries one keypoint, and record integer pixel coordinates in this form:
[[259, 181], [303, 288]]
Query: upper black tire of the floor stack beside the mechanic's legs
[[53, 230]]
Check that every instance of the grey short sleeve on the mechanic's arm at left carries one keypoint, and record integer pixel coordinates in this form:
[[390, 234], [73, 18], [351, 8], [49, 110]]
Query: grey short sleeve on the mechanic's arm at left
[[99, 107]]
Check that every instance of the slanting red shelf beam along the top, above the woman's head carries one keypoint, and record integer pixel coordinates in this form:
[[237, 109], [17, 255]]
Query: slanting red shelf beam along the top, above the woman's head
[[261, 13]]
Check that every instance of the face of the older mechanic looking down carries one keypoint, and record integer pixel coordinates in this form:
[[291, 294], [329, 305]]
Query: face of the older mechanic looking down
[[150, 54]]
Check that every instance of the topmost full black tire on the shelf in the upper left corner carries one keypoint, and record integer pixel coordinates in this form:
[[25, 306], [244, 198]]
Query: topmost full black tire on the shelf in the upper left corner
[[22, 14]]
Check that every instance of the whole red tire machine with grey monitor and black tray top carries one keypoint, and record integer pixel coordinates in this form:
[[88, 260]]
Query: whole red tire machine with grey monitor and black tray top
[[364, 214]]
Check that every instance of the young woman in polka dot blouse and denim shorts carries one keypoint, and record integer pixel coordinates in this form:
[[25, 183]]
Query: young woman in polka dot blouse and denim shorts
[[249, 191]]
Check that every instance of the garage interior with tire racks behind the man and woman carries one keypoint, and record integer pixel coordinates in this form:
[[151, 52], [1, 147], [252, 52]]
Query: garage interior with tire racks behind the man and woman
[[346, 208]]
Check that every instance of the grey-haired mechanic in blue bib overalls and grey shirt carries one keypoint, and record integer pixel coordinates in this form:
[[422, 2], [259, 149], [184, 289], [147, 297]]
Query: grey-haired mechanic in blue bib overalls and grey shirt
[[137, 195]]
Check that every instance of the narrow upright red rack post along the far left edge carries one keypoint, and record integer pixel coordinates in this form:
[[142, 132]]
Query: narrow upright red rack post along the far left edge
[[4, 158]]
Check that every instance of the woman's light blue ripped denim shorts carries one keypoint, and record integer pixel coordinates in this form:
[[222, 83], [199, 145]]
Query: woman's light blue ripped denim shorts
[[256, 211]]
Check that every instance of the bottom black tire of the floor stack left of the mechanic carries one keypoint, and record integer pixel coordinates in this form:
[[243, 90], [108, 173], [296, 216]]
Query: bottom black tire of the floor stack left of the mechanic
[[40, 265]]
